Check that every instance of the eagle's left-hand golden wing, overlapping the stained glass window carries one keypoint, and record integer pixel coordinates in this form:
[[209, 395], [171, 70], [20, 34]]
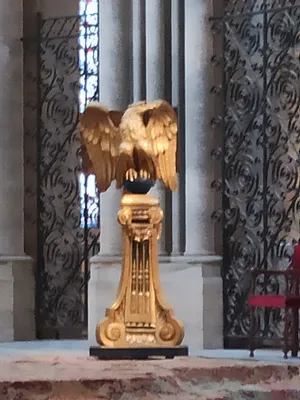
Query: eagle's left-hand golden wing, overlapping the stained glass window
[[100, 134]]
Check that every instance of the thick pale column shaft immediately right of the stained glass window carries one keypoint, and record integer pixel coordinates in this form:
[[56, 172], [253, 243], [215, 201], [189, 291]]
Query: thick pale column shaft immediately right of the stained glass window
[[116, 94]]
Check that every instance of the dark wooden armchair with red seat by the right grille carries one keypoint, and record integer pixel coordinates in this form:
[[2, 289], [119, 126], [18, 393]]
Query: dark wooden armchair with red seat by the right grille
[[289, 300]]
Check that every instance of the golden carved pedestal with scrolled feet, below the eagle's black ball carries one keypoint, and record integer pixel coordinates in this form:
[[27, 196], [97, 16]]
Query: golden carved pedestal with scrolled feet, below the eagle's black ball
[[140, 316]]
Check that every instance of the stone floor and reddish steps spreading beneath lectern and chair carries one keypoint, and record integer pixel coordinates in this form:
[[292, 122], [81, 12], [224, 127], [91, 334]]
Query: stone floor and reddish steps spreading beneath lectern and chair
[[63, 371]]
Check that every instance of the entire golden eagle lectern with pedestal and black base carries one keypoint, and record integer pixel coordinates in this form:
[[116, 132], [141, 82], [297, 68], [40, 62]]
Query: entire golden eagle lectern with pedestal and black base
[[135, 148]]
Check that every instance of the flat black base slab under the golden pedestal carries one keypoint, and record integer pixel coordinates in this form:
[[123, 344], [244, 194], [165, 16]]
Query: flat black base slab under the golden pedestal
[[137, 353]]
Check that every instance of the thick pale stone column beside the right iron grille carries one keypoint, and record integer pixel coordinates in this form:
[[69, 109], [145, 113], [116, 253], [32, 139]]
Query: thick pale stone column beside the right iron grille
[[206, 303]]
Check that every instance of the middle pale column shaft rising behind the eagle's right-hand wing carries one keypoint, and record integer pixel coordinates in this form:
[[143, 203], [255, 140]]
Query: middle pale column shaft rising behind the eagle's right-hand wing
[[155, 81]]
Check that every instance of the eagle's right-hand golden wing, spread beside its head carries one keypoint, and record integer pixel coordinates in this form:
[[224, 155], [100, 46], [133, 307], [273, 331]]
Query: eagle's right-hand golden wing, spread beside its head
[[161, 126]]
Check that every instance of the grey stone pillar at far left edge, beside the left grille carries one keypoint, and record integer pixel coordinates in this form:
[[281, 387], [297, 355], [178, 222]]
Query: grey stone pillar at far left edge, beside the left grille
[[16, 269]]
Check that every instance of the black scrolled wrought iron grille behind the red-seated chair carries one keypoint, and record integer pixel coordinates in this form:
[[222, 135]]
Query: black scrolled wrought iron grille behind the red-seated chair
[[260, 127]]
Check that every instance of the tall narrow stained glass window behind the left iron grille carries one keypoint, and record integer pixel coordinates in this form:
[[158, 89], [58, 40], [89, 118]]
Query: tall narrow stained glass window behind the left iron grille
[[89, 90]]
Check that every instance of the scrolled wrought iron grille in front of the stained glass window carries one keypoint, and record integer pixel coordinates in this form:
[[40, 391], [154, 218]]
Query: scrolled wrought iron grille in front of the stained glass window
[[68, 210]]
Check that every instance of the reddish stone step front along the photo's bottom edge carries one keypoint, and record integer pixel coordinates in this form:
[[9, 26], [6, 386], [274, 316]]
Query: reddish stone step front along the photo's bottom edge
[[166, 390]]
